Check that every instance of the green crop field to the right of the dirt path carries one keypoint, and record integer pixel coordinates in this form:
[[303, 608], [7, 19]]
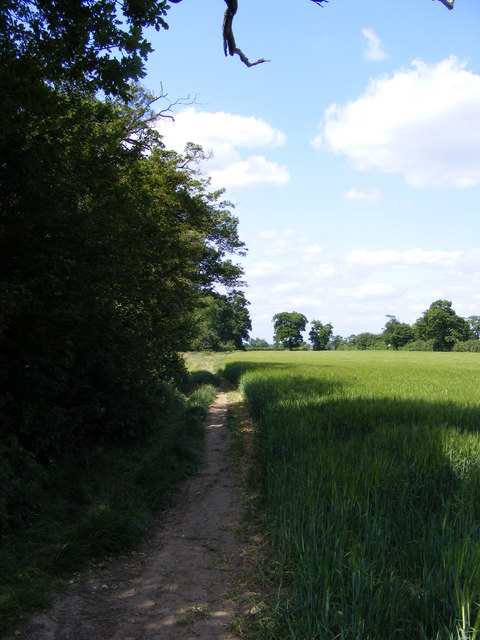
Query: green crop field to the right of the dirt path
[[371, 480]]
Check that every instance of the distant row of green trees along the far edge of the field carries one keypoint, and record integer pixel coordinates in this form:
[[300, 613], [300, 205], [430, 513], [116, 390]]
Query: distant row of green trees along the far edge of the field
[[438, 329]]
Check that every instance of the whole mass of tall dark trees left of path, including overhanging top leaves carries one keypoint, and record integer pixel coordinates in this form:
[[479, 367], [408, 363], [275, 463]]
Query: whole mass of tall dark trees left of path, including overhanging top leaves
[[113, 249]]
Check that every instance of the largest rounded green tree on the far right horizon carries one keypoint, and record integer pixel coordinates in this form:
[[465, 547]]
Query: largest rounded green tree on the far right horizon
[[441, 324]]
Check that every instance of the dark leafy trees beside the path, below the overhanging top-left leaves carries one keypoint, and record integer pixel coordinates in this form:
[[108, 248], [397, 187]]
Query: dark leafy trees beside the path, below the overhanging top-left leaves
[[105, 251]]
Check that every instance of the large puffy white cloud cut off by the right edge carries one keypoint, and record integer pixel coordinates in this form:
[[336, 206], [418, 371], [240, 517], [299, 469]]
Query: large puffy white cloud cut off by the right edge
[[421, 122]]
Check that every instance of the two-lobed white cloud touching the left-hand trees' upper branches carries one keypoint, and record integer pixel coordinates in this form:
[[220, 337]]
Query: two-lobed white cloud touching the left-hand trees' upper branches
[[225, 135]]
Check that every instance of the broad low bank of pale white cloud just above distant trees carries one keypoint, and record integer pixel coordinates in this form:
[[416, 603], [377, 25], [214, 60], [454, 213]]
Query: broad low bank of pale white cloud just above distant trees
[[354, 290]]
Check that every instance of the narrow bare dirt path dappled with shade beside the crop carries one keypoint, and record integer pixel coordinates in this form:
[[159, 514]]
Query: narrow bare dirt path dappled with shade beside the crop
[[176, 585]]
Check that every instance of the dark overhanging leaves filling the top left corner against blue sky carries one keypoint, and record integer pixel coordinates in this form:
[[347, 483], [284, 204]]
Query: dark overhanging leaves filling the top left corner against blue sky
[[94, 44]]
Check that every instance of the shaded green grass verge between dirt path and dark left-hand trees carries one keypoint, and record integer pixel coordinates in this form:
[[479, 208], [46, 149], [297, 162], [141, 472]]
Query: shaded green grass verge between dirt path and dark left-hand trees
[[95, 505]]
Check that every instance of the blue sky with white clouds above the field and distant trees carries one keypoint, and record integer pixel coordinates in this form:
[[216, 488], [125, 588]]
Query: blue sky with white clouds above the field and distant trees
[[352, 157]]
